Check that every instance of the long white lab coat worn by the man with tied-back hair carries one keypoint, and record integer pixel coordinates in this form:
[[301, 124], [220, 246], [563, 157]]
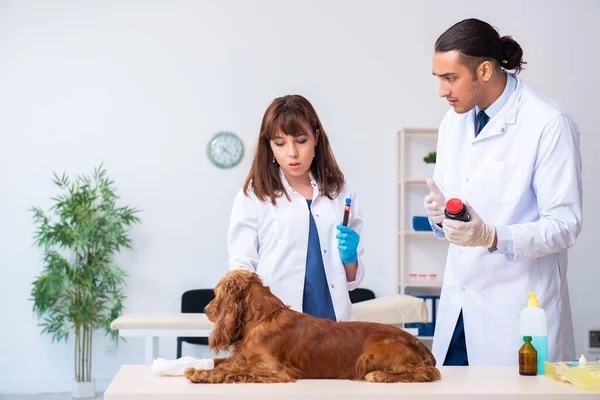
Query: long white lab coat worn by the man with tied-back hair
[[523, 175]]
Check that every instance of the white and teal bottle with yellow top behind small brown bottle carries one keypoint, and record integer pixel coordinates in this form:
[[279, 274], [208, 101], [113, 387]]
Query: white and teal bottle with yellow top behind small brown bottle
[[533, 322]]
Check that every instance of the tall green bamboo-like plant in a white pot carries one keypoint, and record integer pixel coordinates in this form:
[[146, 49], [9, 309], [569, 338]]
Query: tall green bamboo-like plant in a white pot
[[79, 289]]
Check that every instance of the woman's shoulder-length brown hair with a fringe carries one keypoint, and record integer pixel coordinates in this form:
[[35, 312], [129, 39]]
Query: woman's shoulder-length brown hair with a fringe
[[291, 115]]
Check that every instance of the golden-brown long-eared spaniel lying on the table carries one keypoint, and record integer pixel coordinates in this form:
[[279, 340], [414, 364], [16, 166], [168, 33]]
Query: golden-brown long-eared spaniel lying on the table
[[271, 343]]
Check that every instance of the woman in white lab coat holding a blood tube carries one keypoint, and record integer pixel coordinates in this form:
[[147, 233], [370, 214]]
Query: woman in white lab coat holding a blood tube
[[286, 221]]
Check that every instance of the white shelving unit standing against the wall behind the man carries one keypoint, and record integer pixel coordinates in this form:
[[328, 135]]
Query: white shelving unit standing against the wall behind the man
[[421, 256]]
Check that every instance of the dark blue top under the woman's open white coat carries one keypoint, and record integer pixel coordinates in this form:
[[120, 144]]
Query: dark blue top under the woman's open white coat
[[317, 299]]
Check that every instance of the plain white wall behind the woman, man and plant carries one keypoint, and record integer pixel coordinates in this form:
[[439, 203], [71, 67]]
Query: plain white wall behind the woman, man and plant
[[143, 85]]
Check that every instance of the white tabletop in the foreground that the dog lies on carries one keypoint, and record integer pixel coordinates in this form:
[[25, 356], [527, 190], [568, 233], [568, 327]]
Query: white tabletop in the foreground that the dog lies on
[[136, 382]]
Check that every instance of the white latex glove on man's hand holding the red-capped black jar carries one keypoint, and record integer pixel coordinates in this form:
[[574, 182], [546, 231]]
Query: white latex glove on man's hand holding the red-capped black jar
[[473, 233]]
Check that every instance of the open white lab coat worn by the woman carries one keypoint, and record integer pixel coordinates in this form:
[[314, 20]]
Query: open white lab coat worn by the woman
[[273, 241]]
